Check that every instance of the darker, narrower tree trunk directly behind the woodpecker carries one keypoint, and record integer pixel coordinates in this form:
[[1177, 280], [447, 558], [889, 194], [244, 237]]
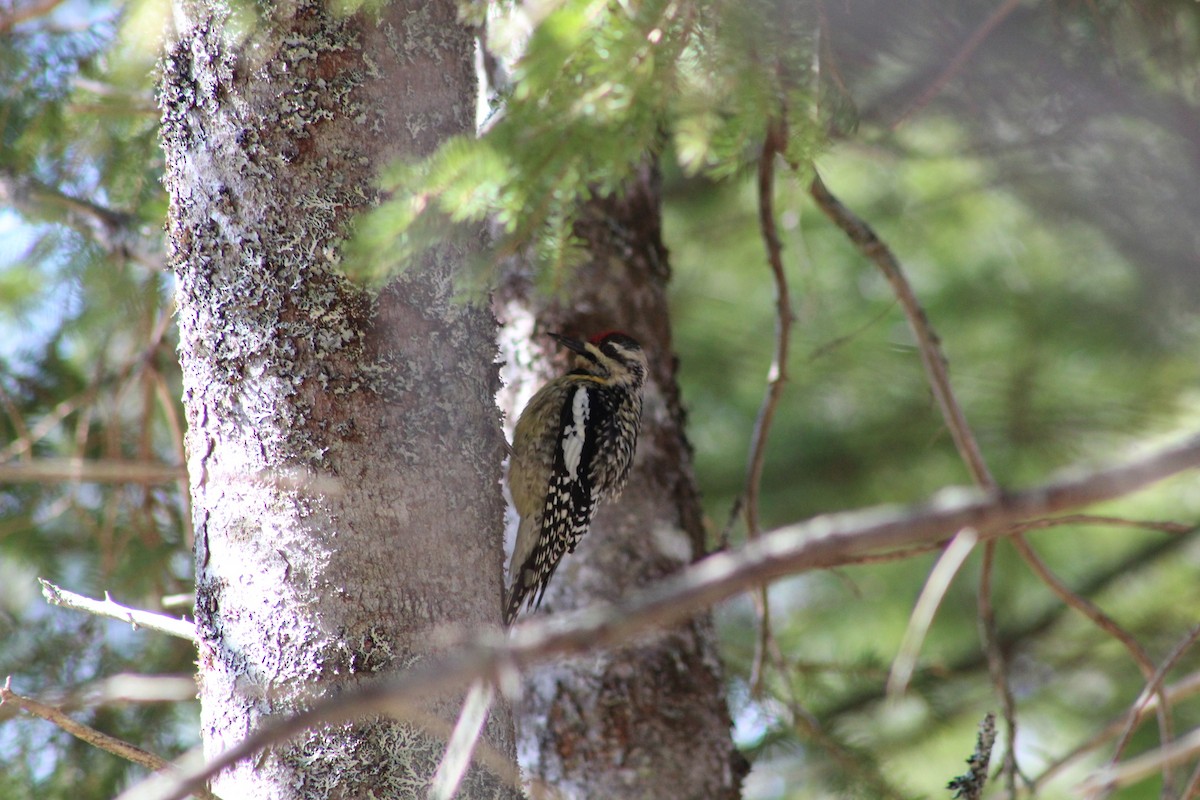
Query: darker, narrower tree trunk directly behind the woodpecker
[[650, 721]]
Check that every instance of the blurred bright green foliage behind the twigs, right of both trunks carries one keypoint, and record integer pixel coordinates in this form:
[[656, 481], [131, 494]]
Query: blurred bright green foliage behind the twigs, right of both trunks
[[1059, 356]]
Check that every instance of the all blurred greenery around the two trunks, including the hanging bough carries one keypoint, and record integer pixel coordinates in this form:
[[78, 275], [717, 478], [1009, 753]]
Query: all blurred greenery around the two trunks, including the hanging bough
[[1034, 167]]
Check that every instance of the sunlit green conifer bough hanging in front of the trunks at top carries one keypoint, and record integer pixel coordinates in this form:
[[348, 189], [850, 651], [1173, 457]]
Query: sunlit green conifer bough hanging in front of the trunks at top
[[598, 89]]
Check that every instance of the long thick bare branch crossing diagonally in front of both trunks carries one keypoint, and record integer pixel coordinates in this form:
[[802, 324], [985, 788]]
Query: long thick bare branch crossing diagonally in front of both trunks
[[820, 543]]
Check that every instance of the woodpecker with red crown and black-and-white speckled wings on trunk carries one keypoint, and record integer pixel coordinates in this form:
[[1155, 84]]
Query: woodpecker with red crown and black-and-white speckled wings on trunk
[[572, 449]]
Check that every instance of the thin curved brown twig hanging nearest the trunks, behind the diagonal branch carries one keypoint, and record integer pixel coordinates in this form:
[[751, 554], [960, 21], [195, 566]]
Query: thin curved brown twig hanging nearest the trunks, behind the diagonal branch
[[772, 147]]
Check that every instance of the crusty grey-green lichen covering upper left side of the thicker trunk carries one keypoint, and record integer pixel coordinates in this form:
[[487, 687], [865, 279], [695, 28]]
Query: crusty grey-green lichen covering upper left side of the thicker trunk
[[260, 212]]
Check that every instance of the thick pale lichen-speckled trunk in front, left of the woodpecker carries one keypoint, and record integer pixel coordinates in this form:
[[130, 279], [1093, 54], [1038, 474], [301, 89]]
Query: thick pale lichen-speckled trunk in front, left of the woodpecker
[[344, 449]]
